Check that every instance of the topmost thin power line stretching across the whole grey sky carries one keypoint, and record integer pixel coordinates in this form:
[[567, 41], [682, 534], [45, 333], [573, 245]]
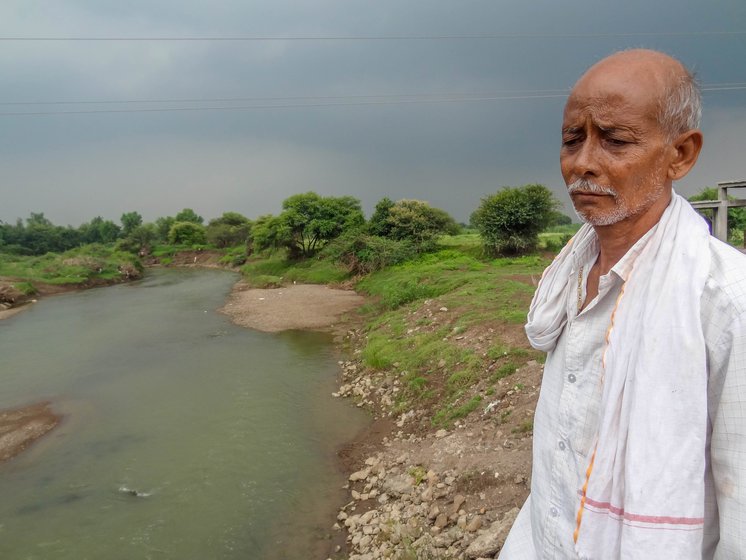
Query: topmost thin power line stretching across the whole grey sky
[[466, 37]]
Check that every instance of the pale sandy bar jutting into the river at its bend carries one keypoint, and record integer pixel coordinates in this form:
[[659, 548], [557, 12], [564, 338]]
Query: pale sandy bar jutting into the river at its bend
[[302, 306]]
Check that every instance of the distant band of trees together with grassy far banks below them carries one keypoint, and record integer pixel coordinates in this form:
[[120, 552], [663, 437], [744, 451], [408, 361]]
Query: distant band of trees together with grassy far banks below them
[[313, 239]]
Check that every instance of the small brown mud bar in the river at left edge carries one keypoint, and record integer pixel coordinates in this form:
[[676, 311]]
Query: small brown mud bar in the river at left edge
[[20, 427]]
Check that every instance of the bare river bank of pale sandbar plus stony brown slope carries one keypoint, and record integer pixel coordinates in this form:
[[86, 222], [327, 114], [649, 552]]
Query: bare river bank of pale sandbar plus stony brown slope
[[415, 490]]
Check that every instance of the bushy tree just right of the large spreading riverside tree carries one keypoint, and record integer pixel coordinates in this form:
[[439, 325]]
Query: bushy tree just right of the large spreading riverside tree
[[414, 220]]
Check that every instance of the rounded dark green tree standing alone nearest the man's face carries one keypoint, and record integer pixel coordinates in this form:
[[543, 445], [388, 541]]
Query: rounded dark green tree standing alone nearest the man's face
[[510, 220]]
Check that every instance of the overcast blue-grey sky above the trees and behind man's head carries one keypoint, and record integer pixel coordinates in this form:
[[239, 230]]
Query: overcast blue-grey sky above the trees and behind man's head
[[395, 106]]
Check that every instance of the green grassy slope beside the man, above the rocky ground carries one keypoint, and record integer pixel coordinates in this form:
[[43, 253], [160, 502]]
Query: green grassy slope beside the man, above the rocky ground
[[422, 347]]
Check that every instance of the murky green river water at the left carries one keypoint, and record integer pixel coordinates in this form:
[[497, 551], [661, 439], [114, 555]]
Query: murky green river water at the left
[[228, 434]]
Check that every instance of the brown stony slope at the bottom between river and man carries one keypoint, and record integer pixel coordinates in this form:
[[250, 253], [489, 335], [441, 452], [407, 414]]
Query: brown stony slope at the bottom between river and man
[[421, 492]]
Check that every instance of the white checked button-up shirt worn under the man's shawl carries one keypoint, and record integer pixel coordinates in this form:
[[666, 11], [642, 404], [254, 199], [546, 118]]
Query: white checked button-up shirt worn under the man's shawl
[[567, 414]]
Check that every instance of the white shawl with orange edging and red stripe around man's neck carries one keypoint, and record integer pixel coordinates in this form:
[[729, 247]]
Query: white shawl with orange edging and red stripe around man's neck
[[645, 493]]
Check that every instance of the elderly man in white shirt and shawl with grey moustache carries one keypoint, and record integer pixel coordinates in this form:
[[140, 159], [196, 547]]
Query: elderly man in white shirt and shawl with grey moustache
[[640, 429]]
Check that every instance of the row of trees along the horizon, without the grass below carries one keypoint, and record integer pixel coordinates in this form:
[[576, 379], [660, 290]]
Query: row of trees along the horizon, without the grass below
[[509, 222]]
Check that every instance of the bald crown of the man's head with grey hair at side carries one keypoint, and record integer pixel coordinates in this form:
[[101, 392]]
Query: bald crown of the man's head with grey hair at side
[[677, 103]]
